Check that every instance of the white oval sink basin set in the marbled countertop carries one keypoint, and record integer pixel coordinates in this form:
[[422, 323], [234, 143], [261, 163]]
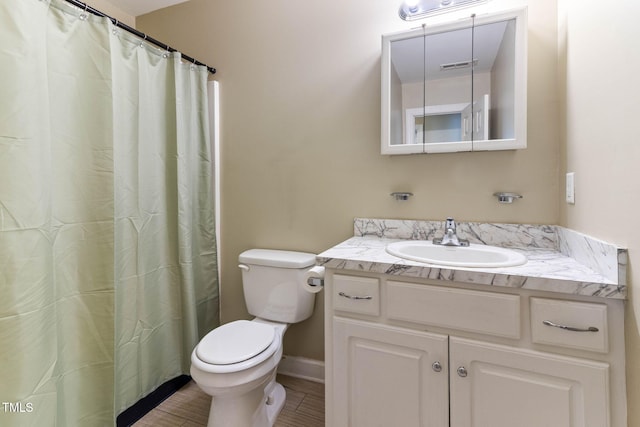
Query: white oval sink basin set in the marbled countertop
[[456, 256]]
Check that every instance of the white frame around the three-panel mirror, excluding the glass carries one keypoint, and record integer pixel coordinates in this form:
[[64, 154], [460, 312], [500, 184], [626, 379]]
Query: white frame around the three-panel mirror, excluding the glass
[[520, 89]]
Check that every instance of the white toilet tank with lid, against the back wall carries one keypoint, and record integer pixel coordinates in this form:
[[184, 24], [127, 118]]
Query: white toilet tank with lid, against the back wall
[[273, 280]]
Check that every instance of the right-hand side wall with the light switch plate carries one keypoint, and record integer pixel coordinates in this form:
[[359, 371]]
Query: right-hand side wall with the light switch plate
[[600, 60]]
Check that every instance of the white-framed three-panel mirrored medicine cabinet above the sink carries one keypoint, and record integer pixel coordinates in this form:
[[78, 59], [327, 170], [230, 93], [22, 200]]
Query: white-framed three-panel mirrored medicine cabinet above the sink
[[456, 86]]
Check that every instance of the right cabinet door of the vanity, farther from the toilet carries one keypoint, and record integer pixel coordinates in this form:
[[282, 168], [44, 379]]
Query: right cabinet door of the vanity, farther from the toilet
[[499, 386]]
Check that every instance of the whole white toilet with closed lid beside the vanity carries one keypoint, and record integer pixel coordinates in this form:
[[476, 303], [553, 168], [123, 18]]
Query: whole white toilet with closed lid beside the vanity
[[236, 363]]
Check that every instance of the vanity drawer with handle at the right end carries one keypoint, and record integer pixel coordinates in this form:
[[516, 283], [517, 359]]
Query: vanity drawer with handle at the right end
[[587, 323]]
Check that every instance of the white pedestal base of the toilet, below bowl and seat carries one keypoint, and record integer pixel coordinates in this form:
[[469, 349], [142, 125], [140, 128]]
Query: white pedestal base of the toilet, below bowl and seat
[[258, 408]]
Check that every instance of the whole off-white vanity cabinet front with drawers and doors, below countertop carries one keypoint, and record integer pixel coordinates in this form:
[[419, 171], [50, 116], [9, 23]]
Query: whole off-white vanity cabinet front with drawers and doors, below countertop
[[415, 352]]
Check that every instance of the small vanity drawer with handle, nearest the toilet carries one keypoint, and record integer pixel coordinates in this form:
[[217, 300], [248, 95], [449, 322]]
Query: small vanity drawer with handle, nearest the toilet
[[356, 294]]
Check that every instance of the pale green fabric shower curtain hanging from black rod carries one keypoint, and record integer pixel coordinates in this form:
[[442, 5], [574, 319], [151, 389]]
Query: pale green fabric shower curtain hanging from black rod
[[108, 273]]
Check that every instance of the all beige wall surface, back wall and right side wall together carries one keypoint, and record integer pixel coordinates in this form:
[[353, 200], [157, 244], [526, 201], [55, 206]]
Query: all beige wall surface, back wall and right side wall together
[[300, 132]]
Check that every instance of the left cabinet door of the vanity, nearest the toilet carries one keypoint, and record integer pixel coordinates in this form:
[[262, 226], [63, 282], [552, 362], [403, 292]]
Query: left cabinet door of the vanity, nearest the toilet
[[386, 376]]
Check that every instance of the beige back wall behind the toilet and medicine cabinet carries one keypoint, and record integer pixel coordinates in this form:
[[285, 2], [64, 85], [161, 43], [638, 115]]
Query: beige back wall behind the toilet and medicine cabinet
[[300, 117]]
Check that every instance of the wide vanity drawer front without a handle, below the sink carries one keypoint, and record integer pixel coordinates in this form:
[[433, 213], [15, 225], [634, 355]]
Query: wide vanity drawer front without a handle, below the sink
[[483, 312]]
